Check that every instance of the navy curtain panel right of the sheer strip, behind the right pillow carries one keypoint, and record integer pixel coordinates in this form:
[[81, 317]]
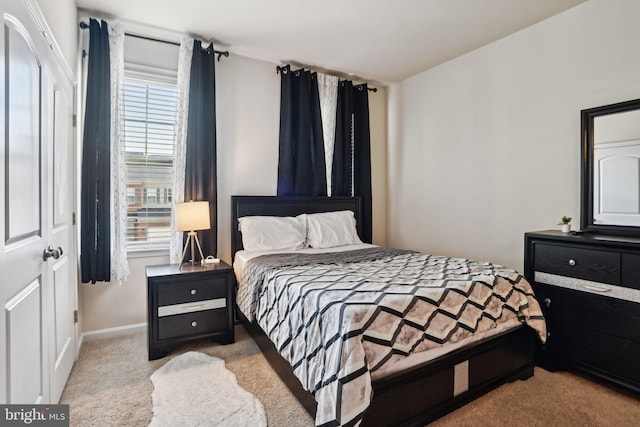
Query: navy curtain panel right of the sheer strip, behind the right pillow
[[351, 169]]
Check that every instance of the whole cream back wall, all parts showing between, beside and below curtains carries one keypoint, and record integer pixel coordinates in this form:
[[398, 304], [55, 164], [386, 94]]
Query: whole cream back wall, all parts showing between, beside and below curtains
[[248, 116]]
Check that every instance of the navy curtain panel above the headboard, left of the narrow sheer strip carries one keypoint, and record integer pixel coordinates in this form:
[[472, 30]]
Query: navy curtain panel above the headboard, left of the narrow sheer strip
[[301, 164]]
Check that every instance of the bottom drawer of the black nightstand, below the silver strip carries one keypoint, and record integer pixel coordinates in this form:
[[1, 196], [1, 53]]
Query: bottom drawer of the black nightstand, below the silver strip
[[183, 325]]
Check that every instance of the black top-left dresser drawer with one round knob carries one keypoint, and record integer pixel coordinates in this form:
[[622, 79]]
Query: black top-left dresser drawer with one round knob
[[581, 263]]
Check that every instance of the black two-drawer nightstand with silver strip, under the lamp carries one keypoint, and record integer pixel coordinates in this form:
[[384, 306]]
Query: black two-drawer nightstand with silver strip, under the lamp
[[188, 304]]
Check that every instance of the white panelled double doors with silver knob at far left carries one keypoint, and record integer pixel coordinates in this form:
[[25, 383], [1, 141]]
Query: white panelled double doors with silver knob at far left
[[36, 185]]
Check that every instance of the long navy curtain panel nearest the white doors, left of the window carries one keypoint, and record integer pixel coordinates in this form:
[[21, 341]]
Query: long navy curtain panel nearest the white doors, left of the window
[[95, 233]]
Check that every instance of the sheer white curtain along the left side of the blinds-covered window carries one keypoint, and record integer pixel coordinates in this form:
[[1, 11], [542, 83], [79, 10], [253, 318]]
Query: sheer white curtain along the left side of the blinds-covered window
[[119, 261]]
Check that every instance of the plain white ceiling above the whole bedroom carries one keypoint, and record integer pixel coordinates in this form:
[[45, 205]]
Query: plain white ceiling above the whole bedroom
[[382, 41]]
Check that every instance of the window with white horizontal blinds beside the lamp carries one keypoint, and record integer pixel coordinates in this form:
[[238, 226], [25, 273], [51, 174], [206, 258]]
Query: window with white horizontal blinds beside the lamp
[[149, 116]]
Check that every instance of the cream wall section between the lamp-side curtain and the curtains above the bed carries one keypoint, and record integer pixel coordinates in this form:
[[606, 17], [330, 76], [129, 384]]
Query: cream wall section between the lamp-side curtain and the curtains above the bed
[[248, 117]]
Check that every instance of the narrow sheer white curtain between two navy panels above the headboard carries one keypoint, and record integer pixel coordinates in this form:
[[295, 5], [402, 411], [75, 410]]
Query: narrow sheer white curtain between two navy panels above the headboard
[[328, 90]]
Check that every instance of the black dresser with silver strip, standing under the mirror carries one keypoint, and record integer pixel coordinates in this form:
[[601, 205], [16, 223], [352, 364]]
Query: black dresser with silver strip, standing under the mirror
[[588, 286]]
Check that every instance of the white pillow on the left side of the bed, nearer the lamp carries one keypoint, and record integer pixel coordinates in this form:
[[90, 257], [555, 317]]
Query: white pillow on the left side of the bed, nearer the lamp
[[264, 233]]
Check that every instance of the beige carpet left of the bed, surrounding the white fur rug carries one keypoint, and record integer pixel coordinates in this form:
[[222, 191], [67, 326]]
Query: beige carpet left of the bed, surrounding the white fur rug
[[109, 384]]
